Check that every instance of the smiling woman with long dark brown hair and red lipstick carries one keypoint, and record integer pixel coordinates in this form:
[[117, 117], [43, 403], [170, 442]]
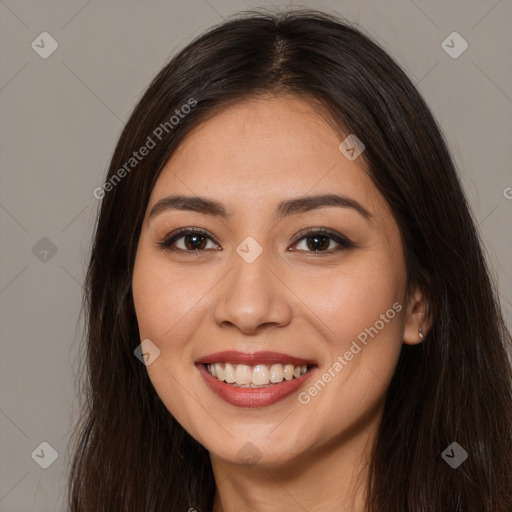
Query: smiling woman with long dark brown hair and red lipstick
[[288, 303]]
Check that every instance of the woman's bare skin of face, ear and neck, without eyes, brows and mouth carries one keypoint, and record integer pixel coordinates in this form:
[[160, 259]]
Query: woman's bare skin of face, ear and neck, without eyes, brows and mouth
[[306, 303]]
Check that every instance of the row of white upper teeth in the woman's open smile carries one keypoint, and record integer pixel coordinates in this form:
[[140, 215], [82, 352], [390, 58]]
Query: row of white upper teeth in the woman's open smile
[[260, 375]]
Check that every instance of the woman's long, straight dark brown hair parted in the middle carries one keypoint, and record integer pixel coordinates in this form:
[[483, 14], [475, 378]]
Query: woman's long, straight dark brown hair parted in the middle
[[130, 454]]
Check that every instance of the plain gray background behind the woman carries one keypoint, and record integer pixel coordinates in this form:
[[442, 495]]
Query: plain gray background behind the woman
[[60, 120]]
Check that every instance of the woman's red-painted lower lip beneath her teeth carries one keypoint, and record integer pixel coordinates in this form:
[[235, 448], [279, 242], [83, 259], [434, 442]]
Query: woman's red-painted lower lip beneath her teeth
[[253, 397]]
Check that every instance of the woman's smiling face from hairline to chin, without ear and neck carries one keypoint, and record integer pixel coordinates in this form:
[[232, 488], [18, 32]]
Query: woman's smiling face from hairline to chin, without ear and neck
[[279, 283]]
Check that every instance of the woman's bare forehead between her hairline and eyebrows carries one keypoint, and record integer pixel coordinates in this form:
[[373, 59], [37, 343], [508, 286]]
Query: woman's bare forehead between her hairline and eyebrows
[[262, 150]]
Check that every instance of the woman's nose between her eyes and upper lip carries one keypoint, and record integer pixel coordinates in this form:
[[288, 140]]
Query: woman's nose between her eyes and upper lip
[[253, 297]]
